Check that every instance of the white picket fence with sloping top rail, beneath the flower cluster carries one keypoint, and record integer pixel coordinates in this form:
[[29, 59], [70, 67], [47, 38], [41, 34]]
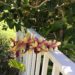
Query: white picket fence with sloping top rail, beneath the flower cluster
[[61, 64]]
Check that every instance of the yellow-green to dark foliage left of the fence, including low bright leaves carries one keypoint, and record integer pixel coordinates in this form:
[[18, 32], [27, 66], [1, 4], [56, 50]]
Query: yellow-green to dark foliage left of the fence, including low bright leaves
[[5, 54]]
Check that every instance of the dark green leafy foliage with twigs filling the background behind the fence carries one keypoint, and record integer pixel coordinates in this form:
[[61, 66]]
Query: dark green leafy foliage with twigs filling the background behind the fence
[[54, 19]]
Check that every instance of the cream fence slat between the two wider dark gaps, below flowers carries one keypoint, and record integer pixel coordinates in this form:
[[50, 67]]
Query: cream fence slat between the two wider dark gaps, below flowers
[[45, 64]]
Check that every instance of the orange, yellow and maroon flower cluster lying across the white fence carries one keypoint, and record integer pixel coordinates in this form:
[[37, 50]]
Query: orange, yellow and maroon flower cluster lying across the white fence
[[29, 43]]
